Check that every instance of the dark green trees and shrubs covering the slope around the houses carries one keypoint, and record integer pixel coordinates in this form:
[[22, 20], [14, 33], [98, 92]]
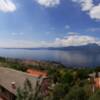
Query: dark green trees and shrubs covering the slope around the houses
[[69, 83]]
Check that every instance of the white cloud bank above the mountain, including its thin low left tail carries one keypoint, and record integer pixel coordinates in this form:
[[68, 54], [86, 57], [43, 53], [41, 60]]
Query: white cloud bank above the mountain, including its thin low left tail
[[72, 40]]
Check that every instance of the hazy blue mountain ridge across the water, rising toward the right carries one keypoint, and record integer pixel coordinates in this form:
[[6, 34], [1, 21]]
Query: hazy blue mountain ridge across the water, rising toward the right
[[93, 48]]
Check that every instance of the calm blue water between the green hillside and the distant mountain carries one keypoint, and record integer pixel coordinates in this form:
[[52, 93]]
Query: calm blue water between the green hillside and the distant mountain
[[68, 58]]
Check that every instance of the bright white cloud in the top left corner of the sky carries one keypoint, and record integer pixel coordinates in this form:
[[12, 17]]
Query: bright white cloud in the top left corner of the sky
[[7, 6]]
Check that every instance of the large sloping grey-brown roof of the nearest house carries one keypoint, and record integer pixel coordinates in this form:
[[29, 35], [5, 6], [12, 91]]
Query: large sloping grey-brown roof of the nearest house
[[9, 76]]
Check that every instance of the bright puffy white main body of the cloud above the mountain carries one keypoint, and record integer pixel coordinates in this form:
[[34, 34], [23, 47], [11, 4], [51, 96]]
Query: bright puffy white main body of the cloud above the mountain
[[75, 40]]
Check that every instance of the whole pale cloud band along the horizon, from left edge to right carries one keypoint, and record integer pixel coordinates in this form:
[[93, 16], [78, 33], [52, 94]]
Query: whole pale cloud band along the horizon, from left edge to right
[[67, 40]]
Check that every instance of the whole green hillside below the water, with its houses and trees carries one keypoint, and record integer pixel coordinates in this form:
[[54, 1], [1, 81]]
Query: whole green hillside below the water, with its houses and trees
[[20, 78]]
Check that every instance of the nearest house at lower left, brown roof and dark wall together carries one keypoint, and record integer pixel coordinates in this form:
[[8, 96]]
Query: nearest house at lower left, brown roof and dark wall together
[[11, 80]]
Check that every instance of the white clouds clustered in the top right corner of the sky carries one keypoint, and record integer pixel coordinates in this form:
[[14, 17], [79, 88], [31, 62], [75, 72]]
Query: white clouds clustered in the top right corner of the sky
[[89, 7]]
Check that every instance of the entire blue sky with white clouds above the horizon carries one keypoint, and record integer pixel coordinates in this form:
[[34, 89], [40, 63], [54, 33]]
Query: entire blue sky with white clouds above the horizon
[[49, 23]]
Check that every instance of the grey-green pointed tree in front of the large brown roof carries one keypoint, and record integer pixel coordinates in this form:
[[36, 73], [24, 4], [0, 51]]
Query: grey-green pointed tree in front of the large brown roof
[[27, 92]]
